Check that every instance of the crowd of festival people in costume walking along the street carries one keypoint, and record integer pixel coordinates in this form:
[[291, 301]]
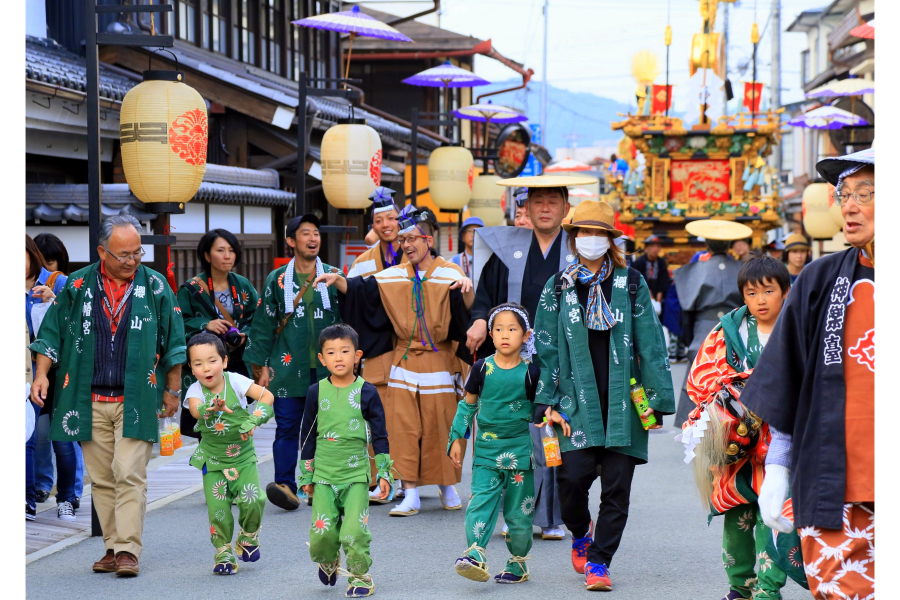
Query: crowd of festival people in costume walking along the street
[[378, 381]]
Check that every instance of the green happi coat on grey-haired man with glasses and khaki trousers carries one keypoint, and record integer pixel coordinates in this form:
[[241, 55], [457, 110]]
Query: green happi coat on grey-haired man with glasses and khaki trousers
[[155, 345]]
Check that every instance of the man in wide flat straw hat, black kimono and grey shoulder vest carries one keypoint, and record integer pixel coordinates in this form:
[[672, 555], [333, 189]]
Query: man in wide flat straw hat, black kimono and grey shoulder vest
[[517, 262]]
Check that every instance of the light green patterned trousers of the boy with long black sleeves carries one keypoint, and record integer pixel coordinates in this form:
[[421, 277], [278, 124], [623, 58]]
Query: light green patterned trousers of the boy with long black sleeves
[[341, 516]]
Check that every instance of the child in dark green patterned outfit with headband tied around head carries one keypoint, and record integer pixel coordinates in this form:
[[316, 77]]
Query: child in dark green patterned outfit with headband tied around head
[[501, 390]]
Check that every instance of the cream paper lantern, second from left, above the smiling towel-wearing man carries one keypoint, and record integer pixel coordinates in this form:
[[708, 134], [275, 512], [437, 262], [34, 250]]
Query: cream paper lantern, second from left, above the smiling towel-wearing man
[[351, 164]]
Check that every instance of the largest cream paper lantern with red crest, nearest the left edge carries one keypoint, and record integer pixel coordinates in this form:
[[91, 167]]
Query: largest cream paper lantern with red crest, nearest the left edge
[[163, 133]]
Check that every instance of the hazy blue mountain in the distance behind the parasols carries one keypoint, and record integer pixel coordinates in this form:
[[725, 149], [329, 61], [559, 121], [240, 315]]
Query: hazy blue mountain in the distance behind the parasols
[[573, 118]]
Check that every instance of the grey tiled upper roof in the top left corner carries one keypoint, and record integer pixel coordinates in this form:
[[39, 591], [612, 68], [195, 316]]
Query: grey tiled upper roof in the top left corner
[[48, 62]]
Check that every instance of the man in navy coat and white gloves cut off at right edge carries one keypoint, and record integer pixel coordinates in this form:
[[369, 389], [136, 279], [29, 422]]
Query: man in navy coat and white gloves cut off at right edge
[[815, 386]]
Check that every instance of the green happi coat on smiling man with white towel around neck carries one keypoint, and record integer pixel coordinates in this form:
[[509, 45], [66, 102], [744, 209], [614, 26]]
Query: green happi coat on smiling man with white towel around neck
[[288, 356]]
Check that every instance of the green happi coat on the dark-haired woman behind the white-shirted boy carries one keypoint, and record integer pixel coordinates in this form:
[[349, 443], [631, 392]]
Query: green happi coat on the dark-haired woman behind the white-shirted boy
[[198, 309]]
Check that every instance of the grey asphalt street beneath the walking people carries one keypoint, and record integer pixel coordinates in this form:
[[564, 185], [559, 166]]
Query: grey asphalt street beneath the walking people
[[667, 551]]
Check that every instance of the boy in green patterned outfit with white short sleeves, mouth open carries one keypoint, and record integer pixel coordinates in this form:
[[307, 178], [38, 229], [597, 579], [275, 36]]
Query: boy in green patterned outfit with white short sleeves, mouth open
[[225, 455]]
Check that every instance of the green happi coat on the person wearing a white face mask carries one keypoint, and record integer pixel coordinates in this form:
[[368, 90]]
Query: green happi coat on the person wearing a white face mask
[[637, 349]]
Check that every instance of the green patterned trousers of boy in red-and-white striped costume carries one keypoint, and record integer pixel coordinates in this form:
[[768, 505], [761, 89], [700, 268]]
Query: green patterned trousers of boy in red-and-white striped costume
[[744, 550]]
